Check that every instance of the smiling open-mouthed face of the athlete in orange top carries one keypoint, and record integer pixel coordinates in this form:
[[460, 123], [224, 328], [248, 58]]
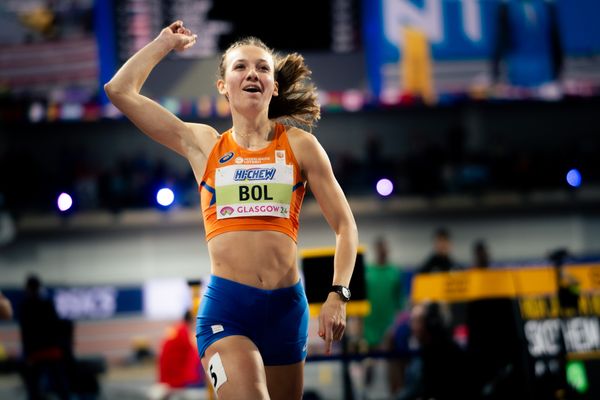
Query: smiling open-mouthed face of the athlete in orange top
[[249, 81]]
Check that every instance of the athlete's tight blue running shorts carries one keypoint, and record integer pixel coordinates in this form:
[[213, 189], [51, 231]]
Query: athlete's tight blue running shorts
[[275, 320]]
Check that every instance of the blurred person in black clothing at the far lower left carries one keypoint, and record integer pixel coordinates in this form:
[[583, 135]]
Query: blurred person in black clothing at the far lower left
[[45, 351]]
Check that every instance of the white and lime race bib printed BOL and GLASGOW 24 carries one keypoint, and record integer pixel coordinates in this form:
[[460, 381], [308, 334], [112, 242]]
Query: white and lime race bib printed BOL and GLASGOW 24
[[251, 190]]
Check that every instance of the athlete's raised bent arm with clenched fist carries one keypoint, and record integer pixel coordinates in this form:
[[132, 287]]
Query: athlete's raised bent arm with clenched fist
[[158, 123]]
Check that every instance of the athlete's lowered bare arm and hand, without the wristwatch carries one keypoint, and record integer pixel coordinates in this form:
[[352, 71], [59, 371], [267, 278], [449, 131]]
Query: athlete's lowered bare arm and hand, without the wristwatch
[[336, 210]]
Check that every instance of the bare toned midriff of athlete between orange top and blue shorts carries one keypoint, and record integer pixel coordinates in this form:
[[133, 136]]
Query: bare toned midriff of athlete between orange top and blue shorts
[[262, 259]]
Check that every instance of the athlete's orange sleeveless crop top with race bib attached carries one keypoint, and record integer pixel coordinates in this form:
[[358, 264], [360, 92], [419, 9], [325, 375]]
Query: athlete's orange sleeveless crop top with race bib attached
[[247, 190]]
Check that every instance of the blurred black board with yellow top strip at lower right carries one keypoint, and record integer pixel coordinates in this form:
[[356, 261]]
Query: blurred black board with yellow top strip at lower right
[[543, 321]]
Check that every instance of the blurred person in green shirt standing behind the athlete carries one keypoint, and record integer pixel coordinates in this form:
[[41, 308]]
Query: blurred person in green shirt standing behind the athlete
[[383, 280]]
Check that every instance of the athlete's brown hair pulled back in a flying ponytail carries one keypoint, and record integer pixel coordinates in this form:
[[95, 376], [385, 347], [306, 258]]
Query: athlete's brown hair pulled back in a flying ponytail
[[298, 100]]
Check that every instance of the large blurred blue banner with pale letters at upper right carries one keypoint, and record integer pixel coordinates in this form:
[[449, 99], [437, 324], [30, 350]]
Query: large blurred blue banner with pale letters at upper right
[[463, 36]]
